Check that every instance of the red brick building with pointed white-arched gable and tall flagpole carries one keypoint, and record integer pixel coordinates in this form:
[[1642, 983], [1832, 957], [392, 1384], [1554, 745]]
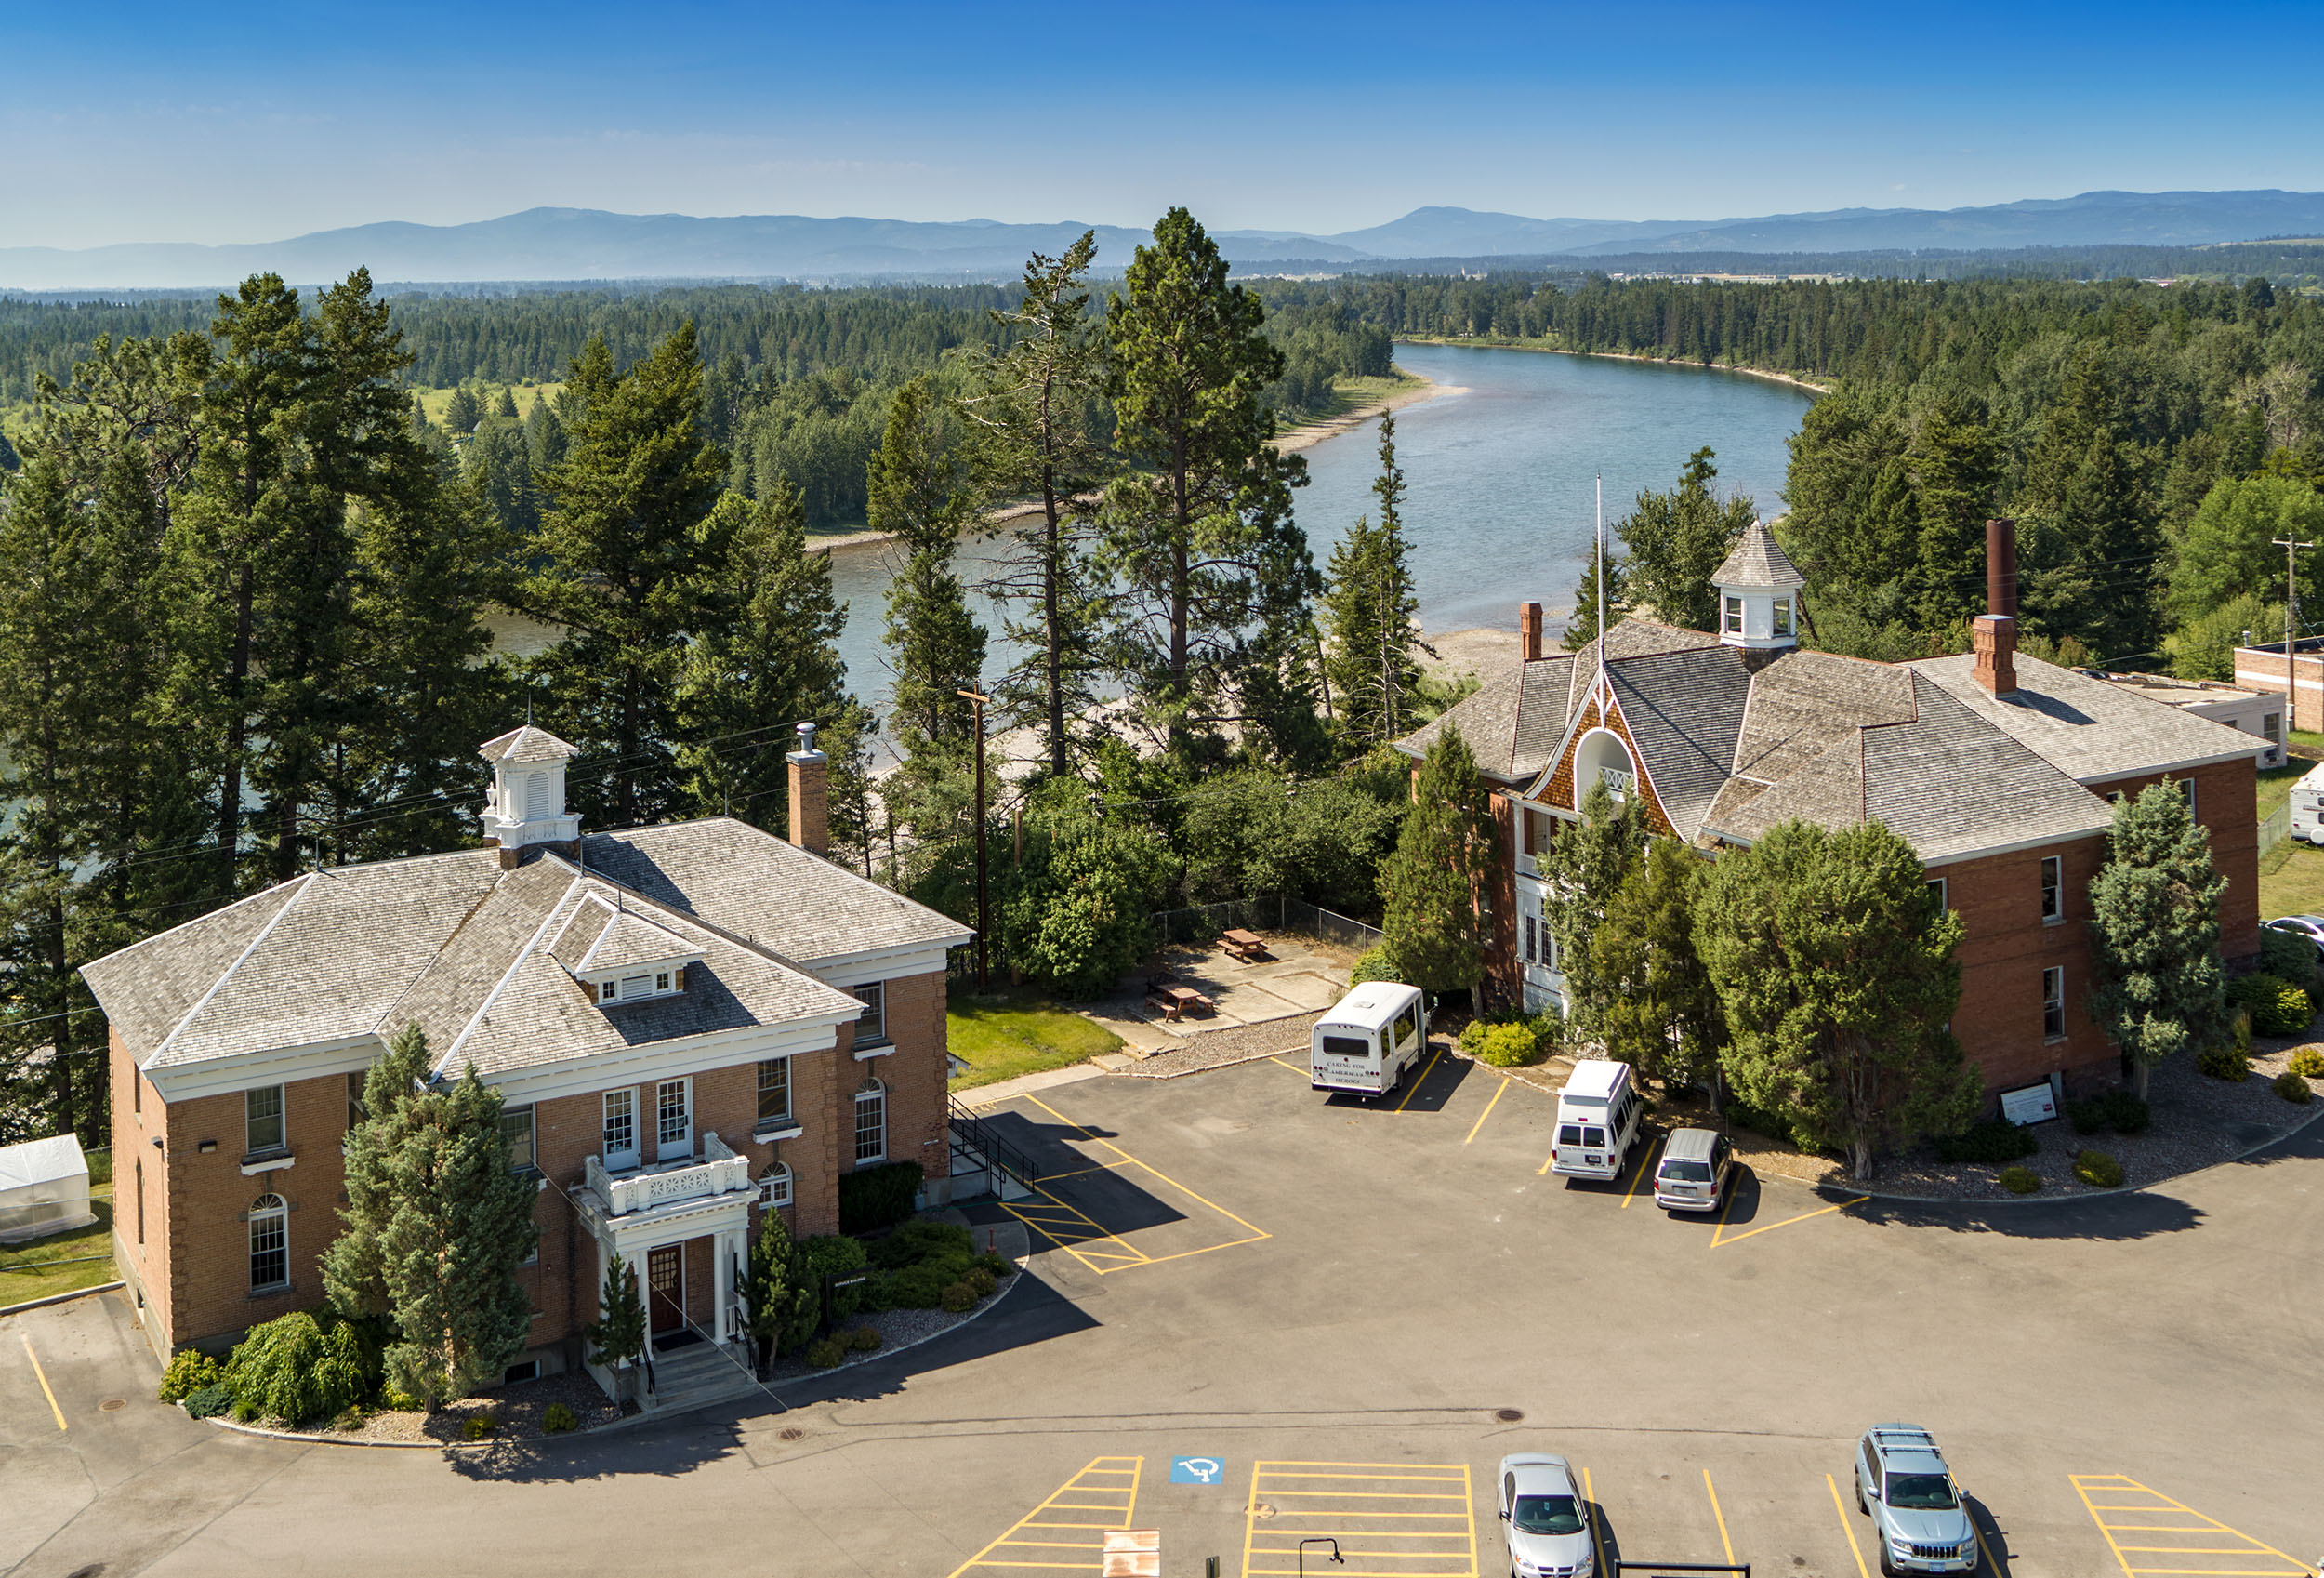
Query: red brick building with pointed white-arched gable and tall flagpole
[[1995, 768]]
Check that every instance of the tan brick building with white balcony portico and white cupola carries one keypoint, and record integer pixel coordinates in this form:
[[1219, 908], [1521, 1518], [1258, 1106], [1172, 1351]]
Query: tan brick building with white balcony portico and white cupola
[[689, 1026]]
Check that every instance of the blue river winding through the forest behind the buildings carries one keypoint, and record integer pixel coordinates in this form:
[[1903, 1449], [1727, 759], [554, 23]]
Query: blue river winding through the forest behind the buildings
[[1498, 485]]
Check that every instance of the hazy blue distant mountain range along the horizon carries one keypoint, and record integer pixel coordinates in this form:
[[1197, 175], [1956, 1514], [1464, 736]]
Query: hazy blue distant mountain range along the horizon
[[550, 245]]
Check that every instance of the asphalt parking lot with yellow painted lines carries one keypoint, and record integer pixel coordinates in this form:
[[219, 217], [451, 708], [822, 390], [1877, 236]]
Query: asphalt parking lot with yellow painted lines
[[1265, 1317]]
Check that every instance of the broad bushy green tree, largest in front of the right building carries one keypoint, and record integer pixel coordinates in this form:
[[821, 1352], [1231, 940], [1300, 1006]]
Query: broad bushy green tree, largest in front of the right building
[[1837, 980]]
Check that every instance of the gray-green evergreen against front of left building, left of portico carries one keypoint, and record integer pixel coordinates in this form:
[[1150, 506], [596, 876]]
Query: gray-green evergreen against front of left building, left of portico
[[436, 1228]]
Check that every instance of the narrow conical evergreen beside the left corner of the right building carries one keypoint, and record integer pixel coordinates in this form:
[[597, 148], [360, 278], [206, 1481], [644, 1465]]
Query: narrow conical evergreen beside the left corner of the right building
[[1437, 882]]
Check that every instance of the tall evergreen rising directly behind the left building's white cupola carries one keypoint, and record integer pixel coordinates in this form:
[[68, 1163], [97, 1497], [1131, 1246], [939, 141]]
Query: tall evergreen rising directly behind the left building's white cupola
[[626, 557]]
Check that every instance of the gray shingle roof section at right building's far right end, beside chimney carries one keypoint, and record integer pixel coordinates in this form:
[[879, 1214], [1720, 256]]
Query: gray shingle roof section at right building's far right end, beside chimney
[[2088, 729]]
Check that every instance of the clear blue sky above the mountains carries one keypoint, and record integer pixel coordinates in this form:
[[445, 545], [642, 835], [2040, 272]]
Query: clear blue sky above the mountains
[[206, 124]]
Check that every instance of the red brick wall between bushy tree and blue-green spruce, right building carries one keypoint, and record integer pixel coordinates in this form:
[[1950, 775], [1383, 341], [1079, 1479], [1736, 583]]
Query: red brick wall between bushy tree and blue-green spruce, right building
[[2004, 952]]
